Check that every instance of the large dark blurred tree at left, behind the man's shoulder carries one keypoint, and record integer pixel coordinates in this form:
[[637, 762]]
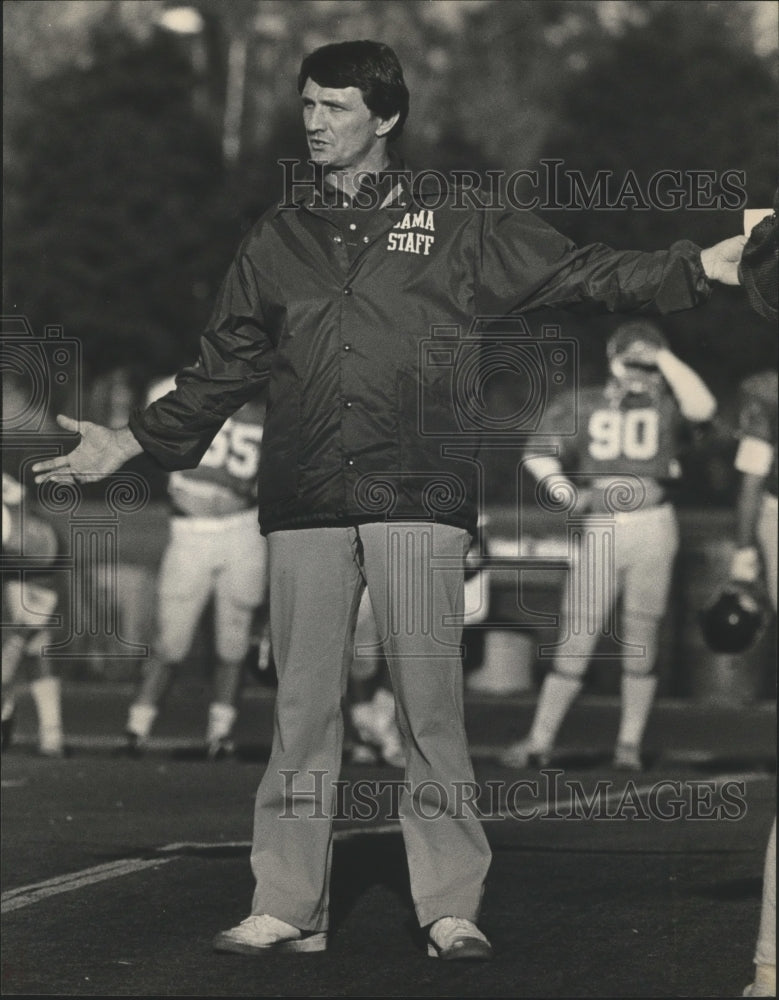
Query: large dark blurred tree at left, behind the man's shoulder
[[116, 224]]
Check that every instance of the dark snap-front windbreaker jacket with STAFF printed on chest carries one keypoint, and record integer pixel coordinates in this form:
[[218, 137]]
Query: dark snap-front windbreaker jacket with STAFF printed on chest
[[365, 399]]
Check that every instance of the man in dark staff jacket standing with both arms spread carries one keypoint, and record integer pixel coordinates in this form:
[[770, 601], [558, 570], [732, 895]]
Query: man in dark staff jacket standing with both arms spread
[[366, 476]]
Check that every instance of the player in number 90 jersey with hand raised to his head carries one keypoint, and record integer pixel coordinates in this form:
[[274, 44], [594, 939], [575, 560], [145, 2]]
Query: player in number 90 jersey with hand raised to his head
[[627, 443]]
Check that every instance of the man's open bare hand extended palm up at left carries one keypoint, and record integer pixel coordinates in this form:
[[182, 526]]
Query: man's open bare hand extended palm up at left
[[100, 452]]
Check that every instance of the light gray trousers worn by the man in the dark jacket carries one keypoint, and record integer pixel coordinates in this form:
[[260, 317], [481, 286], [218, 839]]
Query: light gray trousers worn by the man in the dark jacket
[[414, 574]]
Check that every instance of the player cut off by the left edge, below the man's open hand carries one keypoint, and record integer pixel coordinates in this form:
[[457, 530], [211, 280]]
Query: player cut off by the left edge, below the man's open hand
[[29, 600]]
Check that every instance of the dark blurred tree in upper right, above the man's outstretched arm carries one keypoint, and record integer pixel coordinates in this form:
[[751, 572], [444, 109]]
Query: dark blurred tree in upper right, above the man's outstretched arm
[[670, 91]]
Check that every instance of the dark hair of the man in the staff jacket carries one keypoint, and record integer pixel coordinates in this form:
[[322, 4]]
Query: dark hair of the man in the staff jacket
[[372, 67]]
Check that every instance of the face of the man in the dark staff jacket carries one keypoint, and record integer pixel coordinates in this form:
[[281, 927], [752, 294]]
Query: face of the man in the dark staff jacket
[[341, 131]]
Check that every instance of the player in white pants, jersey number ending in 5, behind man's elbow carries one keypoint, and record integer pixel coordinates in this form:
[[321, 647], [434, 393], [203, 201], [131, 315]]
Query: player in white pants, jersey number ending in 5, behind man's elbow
[[215, 549]]
